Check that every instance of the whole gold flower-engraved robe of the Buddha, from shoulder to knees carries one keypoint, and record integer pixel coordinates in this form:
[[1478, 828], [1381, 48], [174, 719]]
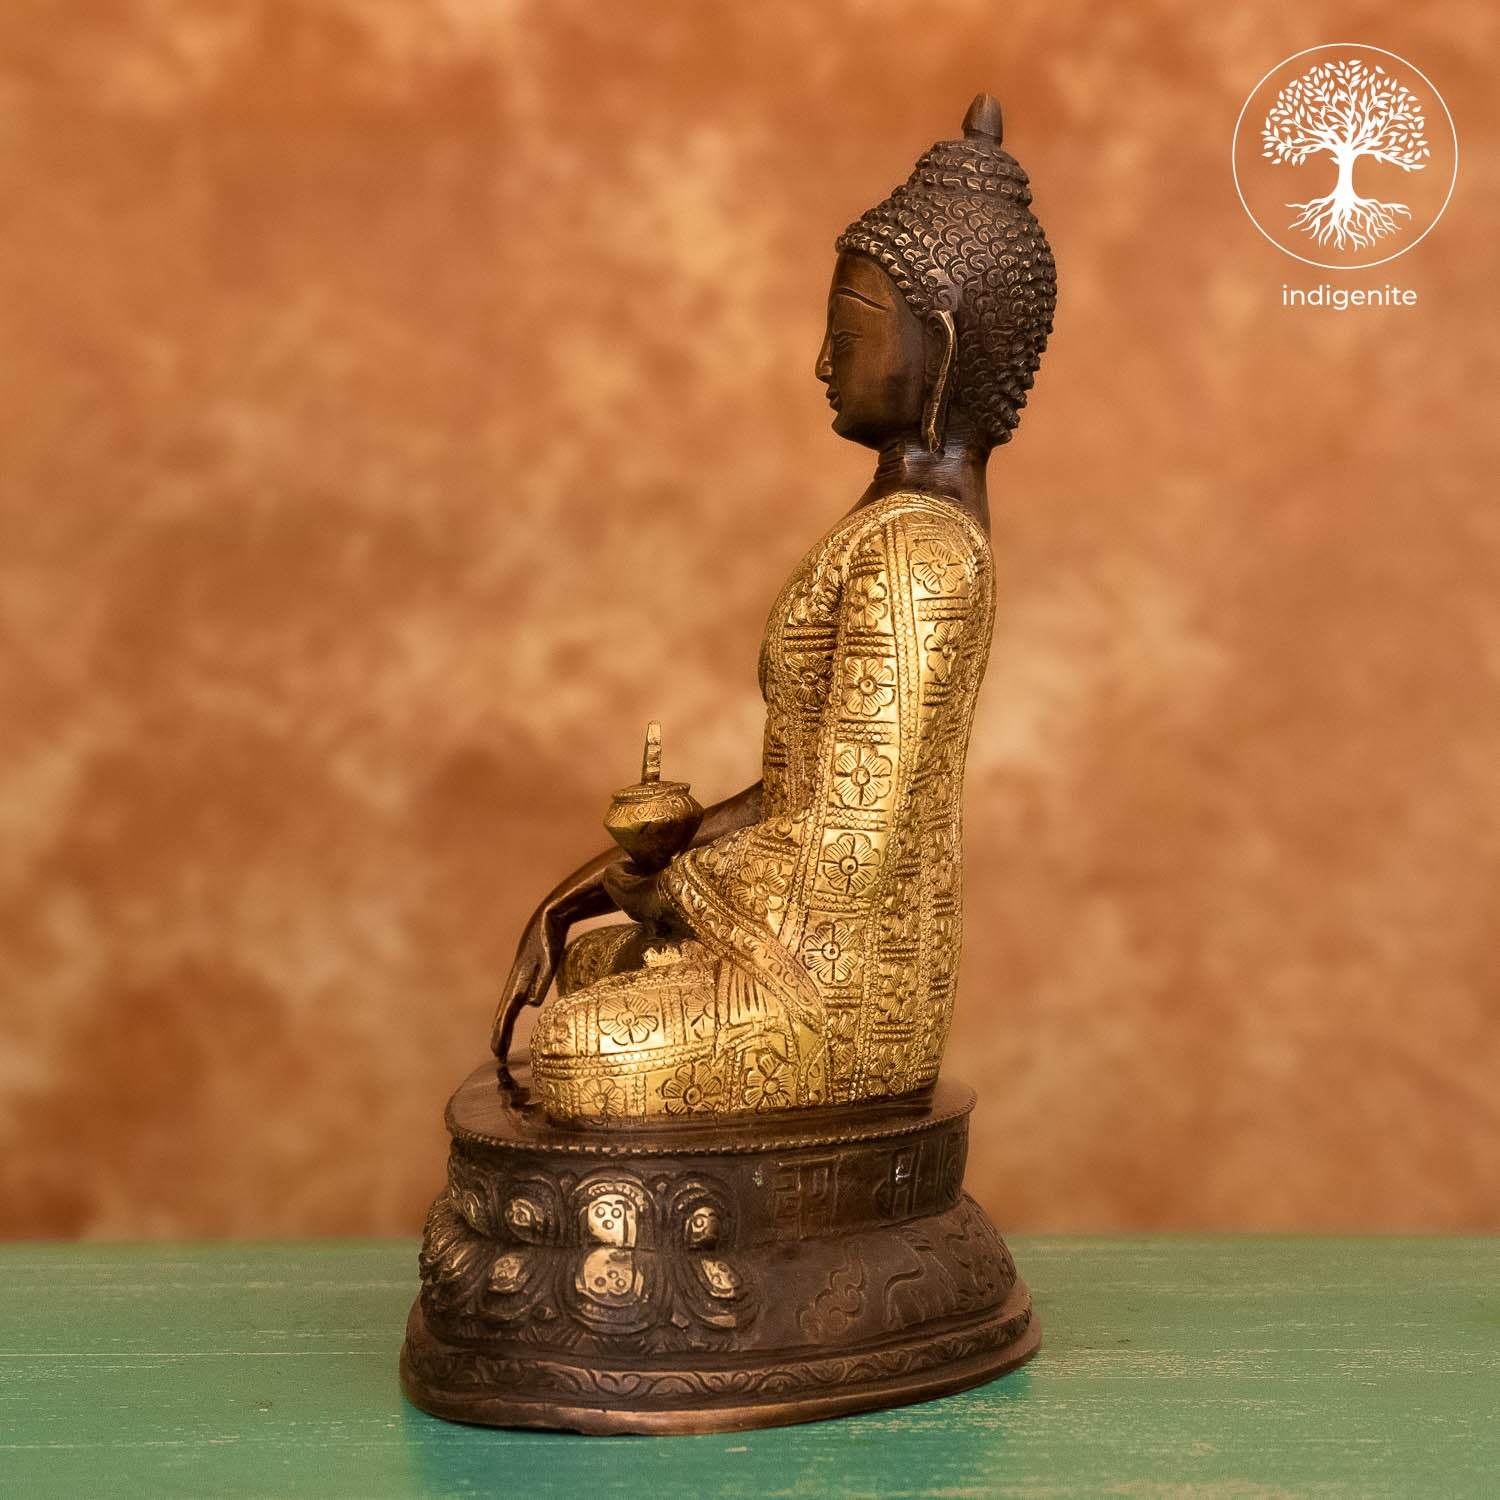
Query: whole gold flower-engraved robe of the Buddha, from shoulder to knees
[[827, 935]]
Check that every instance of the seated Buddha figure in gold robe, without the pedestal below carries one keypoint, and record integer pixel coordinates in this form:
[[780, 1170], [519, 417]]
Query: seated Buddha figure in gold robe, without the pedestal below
[[802, 950]]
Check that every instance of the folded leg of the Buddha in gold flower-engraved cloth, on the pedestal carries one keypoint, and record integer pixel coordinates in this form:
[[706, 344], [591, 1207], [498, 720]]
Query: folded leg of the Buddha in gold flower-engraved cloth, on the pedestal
[[682, 1036]]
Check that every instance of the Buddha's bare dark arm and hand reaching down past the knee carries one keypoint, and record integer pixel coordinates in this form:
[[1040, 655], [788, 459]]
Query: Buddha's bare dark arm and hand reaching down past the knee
[[595, 890]]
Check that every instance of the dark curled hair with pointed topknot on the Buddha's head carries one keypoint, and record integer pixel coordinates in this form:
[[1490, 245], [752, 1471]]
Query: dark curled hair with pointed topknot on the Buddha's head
[[959, 238]]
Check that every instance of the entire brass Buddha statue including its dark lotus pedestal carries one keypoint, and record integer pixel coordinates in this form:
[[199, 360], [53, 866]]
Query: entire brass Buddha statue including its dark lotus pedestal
[[731, 1193]]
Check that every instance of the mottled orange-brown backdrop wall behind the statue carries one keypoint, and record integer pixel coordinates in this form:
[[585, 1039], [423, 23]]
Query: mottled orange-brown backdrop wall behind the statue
[[404, 400]]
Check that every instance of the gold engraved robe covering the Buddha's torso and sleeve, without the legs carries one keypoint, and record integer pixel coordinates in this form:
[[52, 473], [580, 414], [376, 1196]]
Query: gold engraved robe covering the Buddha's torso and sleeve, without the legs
[[871, 668]]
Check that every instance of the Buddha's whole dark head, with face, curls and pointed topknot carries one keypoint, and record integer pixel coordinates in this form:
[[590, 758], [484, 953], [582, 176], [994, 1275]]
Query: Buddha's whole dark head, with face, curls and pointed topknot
[[941, 301]]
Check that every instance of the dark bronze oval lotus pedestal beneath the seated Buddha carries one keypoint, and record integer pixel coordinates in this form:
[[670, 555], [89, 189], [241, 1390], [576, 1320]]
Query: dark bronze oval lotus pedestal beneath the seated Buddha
[[709, 1276]]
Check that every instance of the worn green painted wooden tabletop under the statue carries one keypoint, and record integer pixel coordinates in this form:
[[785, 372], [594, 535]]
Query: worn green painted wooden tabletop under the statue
[[1207, 1367]]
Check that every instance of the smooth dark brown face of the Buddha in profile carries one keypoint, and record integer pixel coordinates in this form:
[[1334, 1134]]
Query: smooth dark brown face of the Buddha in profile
[[874, 356]]
